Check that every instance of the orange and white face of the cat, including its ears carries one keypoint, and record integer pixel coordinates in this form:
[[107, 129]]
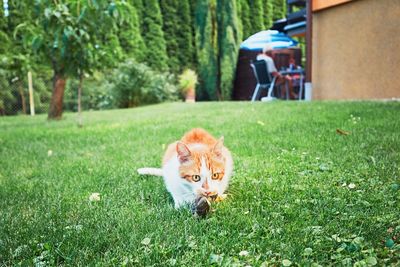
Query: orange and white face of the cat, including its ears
[[203, 170]]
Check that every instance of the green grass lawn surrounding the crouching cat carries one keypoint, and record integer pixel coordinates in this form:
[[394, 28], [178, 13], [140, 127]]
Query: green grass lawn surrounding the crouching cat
[[289, 198]]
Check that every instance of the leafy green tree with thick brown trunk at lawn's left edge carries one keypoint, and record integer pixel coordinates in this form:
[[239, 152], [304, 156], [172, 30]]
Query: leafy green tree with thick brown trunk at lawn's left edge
[[75, 37]]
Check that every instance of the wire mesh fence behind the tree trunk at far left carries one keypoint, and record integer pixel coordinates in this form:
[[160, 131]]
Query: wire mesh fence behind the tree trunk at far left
[[15, 98]]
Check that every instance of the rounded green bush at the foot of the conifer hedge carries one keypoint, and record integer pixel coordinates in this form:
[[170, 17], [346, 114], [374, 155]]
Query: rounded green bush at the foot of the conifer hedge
[[135, 84]]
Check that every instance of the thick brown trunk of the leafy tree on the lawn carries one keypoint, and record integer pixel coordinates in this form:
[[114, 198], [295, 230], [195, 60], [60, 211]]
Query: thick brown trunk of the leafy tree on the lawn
[[56, 104]]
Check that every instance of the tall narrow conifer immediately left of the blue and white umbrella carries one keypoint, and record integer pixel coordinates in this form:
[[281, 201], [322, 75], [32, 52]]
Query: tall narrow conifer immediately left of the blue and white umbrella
[[229, 40]]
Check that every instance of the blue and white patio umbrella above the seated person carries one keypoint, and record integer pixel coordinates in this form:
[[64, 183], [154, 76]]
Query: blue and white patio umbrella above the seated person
[[276, 39]]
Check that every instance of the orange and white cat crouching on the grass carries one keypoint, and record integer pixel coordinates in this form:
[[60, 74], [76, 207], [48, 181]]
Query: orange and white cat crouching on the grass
[[197, 165]]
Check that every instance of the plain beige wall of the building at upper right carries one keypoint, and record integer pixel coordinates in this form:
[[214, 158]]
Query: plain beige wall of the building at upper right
[[356, 50]]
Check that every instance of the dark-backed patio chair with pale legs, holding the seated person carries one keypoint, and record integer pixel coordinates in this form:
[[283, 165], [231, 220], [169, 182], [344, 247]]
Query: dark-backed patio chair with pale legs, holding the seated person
[[264, 80]]
